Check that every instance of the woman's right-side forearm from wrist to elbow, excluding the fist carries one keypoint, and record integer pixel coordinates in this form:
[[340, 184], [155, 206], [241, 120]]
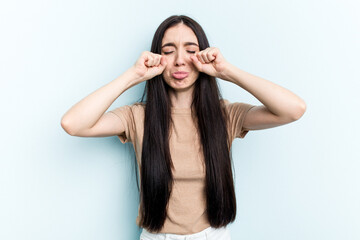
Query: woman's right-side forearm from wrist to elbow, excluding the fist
[[277, 99]]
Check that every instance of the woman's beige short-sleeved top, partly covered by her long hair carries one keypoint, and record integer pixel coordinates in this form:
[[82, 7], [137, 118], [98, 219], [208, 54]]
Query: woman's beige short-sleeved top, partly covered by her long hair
[[186, 212]]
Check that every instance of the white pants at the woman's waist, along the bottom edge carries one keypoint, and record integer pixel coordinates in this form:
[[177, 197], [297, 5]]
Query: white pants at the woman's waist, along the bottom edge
[[209, 233]]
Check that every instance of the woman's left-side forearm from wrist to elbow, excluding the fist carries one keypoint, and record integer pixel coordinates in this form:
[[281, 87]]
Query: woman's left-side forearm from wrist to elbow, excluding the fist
[[85, 113]]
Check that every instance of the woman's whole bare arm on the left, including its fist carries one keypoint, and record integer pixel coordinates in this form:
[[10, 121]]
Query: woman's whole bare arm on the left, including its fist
[[87, 119]]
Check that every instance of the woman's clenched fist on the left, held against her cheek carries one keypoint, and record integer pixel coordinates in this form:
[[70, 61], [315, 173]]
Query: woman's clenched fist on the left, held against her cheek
[[149, 65]]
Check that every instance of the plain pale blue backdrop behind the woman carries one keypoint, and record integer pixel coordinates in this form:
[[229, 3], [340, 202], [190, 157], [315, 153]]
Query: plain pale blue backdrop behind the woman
[[294, 182]]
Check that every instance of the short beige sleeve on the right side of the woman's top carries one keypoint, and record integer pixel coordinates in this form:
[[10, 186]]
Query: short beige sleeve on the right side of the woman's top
[[236, 115]]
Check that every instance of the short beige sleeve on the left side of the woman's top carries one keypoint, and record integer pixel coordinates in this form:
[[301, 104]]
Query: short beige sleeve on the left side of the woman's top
[[125, 115]]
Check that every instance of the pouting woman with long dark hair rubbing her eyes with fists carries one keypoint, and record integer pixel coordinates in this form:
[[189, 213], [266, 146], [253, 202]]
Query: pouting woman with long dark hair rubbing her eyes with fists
[[182, 134]]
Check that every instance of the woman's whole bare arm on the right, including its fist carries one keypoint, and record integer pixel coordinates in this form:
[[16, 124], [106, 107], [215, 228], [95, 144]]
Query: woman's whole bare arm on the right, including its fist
[[280, 105]]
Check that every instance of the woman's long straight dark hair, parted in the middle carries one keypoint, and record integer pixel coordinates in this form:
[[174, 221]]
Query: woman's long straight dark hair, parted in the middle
[[156, 164]]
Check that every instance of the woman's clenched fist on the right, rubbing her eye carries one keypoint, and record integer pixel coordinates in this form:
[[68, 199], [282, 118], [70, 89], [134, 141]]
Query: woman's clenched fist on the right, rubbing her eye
[[210, 61]]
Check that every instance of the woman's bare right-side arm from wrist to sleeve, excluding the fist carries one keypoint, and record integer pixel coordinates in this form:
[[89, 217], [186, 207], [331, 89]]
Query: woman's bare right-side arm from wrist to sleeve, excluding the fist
[[281, 106]]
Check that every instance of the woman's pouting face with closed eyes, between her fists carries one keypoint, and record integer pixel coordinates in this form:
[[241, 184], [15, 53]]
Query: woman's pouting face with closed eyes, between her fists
[[178, 44]]
